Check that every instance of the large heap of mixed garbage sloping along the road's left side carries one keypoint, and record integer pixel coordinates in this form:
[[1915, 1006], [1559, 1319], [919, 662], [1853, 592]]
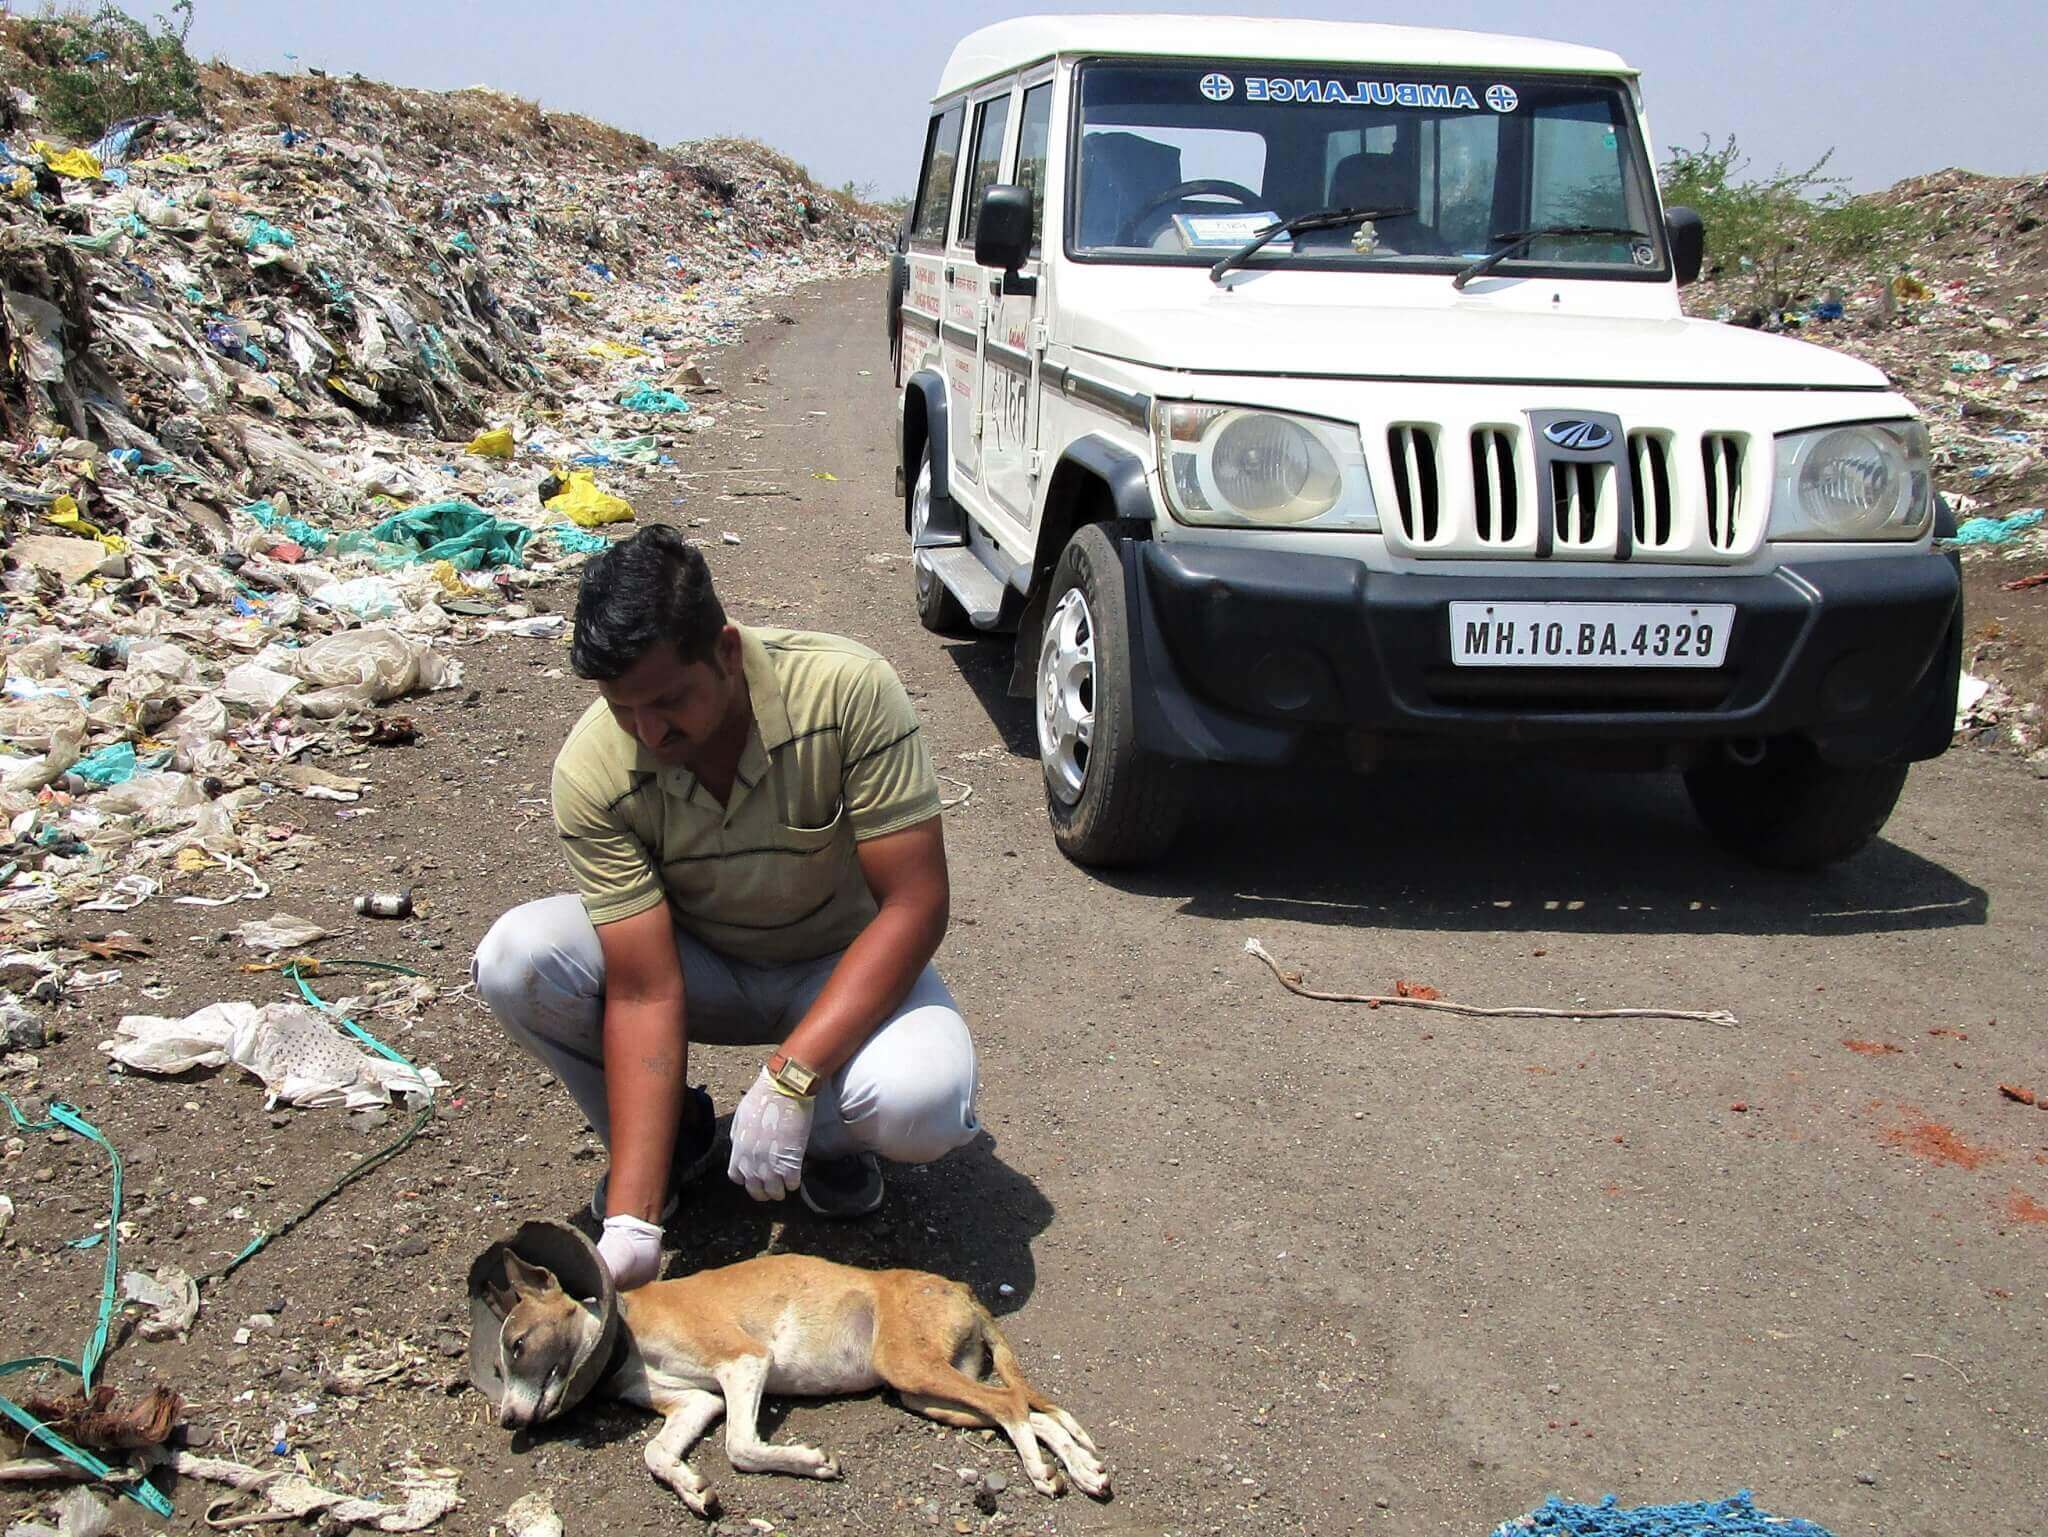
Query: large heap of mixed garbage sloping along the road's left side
[[300, 399]]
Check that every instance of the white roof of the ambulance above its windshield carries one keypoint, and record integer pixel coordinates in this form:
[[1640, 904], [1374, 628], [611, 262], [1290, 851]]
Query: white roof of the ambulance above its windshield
[[1027, 40]]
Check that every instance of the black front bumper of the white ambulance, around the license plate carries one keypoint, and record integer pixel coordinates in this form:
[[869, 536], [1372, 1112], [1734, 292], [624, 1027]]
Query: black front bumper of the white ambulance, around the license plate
[[1242, 653]]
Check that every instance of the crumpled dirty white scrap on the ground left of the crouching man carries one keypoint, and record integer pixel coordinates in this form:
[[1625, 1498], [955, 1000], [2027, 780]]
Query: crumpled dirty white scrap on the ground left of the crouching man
[[298, 1054]]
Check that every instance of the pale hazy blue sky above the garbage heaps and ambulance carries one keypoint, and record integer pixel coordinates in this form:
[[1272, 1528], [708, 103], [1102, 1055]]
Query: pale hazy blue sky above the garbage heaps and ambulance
[[1895, 87]]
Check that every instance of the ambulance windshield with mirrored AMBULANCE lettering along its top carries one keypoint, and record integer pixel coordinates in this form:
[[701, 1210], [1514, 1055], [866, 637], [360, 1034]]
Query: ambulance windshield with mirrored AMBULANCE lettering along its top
[[1185, 163]]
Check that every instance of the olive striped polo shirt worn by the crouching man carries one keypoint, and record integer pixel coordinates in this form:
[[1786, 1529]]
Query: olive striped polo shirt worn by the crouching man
[[771, 878]]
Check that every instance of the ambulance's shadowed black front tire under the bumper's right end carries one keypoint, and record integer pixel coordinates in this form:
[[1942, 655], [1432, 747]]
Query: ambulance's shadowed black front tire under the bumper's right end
[[1791, 811]]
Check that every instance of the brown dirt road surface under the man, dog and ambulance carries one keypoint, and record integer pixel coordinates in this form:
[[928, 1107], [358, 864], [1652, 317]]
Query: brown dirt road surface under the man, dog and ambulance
[[1299, 1268]]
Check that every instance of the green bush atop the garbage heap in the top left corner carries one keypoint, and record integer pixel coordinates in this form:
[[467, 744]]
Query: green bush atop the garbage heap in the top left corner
[[103, 69]]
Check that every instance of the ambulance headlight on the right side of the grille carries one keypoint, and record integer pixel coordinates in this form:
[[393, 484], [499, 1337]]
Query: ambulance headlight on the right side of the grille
[[1854, 483]]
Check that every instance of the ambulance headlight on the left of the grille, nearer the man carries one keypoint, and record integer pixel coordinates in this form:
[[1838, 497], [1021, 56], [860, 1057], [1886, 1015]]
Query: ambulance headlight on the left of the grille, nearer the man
[[1246, 468]]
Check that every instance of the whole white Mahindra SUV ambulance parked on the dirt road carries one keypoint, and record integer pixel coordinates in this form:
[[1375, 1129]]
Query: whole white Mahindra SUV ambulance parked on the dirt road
[[1291, 382]]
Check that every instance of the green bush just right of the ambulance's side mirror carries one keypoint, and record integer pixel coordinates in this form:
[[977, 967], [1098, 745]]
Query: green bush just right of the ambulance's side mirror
[[1787, 233]]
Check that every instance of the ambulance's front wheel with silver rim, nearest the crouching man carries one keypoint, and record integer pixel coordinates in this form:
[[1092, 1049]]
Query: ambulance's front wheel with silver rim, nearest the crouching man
[[1109, 800]]
